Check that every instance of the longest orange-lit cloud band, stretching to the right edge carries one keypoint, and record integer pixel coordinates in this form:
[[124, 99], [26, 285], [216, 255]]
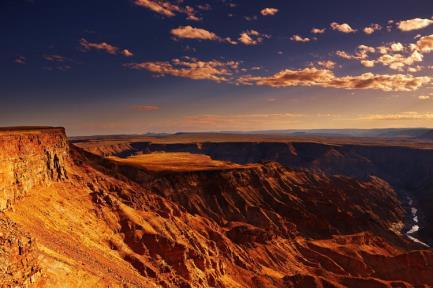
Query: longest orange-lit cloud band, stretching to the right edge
[[326, 78]]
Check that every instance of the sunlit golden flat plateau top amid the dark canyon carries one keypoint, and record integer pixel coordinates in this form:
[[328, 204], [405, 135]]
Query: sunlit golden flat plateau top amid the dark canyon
[[176, 161]]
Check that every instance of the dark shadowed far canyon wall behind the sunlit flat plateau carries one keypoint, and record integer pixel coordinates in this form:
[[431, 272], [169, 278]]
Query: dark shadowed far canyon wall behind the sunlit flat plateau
[[407, 169]]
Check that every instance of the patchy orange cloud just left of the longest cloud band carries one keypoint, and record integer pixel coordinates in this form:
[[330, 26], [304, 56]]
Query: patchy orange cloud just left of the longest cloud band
[[191, 68]]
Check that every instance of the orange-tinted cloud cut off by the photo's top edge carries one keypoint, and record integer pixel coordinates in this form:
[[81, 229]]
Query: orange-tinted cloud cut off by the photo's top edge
[[166, 8]]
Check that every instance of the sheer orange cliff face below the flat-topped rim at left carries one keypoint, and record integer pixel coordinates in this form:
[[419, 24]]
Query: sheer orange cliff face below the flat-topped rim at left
[[29, 158]]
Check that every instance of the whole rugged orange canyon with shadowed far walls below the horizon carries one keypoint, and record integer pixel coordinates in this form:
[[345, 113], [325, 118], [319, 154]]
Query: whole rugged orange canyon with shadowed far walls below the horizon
[[92, 213]]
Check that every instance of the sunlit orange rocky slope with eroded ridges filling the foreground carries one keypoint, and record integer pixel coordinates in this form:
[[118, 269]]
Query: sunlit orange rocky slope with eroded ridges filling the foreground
[[98, 223]]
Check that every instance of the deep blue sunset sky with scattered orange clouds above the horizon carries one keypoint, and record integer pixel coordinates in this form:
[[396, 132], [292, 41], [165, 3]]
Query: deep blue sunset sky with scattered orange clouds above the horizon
[[137, 66]]
